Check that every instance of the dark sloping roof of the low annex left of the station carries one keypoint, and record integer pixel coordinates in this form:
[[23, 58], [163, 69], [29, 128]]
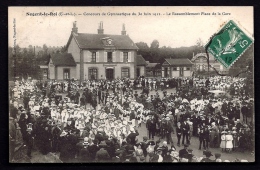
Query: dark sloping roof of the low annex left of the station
[[63, 59]]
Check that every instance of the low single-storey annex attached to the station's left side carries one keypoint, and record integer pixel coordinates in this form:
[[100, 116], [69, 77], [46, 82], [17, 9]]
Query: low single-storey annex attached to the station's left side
[[62, 66]]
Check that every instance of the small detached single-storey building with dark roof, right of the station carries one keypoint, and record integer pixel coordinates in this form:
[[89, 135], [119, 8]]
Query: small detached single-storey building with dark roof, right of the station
[[176, 68]]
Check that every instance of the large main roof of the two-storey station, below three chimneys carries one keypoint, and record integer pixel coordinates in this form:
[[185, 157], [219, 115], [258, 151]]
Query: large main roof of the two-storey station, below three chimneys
[[96, 41]]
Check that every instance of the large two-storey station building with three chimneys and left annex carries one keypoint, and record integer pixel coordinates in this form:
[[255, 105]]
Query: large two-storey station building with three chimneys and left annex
[[96, 56]]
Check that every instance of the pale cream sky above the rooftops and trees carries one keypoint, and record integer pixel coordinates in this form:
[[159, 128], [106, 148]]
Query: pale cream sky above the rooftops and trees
[[169, 30]]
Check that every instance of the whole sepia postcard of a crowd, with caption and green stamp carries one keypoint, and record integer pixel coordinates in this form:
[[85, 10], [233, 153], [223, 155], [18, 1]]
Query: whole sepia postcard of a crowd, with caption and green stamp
[[131, 84]]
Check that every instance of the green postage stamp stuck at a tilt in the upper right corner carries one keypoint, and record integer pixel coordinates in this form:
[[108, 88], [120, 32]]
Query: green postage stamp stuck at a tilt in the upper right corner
[[228, 44]]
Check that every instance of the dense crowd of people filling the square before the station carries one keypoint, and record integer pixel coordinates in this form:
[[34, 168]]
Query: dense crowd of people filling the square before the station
[[77, 129]]
